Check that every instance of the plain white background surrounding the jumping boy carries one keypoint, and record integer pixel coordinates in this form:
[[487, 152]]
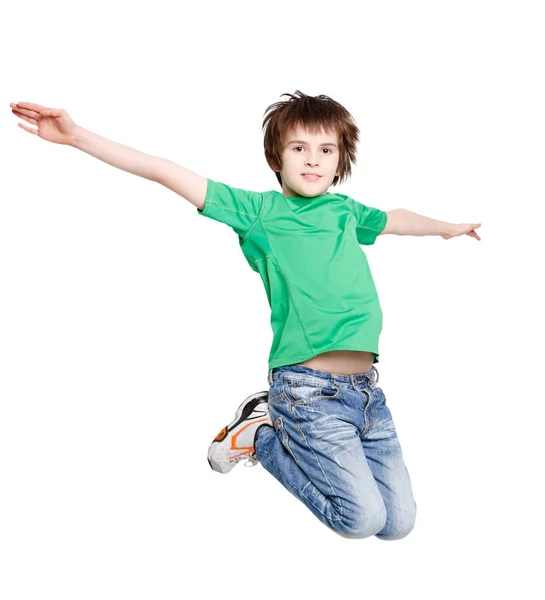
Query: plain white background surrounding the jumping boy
[[131, 329]]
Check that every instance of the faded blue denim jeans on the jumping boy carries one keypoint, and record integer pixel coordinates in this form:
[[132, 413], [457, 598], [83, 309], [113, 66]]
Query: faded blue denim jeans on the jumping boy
[[334, 446]]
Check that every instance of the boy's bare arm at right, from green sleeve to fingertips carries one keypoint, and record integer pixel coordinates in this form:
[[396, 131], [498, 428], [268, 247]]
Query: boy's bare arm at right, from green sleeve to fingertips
[[405, 222]]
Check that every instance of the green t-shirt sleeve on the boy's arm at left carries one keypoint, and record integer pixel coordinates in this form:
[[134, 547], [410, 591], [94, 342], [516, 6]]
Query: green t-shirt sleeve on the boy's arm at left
[[233, 206]]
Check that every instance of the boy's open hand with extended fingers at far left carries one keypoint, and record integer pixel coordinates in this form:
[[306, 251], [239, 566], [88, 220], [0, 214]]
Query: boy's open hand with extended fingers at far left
[[54, 124]]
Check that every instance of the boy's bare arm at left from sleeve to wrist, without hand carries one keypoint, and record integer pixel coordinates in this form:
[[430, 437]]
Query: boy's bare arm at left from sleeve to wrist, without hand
[[184, 182]]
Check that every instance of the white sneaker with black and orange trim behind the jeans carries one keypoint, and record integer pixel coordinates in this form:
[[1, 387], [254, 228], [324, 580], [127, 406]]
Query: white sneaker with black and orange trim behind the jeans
[[236, 440]]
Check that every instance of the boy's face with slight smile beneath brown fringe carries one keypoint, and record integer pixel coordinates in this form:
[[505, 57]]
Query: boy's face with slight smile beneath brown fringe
[[305, 152]]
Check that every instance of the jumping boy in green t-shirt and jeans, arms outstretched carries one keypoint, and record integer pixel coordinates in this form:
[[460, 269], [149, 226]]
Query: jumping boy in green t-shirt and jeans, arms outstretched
[[323, 428]]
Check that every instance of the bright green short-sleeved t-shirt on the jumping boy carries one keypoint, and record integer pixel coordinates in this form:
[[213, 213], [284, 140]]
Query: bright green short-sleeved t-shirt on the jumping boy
[[316, 276]]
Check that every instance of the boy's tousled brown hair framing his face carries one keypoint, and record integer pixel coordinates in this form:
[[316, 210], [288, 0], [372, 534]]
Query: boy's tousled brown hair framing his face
[[314, 113]]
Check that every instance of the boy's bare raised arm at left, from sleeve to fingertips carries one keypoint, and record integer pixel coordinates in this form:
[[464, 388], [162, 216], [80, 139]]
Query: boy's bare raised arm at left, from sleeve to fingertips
[[55, 125]]
